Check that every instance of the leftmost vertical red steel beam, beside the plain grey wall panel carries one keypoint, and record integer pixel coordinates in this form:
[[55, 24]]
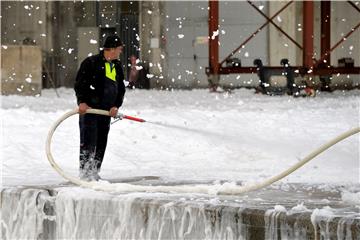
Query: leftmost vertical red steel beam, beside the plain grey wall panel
[[214, 40]]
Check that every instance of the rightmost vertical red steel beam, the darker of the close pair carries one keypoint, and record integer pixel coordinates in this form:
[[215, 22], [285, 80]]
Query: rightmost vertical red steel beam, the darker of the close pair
[[325, 30]]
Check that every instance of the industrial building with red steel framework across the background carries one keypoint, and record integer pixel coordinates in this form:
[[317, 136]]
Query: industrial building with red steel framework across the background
[[174, 39]]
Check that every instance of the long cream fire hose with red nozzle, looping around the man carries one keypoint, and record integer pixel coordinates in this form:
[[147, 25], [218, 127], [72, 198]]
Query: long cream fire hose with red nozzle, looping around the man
[[224, 189]]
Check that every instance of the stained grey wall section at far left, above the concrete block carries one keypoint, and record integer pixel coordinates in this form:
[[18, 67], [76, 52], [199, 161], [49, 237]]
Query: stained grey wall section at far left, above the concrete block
[[51, 26]]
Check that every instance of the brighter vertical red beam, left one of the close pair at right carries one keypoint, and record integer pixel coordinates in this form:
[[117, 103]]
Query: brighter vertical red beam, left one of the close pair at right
[[308, 33]]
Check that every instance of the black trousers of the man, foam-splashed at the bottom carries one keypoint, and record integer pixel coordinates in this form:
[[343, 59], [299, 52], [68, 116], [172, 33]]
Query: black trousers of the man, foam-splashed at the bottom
[[94, 130]]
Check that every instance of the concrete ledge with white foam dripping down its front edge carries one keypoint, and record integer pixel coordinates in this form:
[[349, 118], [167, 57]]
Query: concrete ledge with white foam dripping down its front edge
[[69, 212]]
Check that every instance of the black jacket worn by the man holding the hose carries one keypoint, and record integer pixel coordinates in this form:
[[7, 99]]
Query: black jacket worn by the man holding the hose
[[94, 88]]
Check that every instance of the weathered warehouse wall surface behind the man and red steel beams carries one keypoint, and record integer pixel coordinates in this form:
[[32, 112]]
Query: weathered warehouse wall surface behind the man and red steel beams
[[173, 36]]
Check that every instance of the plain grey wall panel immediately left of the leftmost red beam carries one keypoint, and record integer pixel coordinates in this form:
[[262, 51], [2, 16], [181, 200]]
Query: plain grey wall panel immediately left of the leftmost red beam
[[184, 22]]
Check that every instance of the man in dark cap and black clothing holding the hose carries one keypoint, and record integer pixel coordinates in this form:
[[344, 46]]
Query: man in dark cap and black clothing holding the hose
[[99, 84]]
